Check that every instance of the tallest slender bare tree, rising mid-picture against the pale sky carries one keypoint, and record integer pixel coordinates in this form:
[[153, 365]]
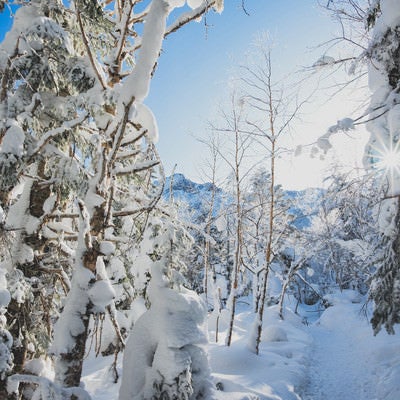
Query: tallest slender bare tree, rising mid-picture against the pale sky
[[271, 112]]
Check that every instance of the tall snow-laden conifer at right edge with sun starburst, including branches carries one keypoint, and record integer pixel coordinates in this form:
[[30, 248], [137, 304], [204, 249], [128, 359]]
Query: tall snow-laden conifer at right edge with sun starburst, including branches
[[379, 43]]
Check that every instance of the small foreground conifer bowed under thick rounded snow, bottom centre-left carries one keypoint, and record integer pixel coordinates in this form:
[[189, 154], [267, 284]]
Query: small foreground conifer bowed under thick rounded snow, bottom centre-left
[[164, 357]]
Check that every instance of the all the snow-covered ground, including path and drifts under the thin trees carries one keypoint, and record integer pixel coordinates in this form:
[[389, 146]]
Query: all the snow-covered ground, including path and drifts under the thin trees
[[313, 356]]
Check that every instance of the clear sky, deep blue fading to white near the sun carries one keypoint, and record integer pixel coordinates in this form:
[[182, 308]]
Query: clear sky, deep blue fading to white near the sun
[[197, 62]]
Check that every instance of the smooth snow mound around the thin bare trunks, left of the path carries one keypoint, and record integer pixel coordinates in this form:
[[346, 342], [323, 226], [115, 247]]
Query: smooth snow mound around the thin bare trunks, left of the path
[[278, 372]]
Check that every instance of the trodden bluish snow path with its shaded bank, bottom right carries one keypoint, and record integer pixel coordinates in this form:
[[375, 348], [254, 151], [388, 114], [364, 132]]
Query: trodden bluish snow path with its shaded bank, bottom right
[[346, 359]]
